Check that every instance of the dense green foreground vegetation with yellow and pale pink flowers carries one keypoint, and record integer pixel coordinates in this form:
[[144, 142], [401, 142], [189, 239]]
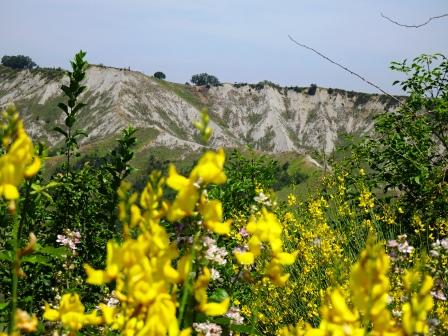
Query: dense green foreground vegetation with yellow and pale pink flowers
[[211, 251]]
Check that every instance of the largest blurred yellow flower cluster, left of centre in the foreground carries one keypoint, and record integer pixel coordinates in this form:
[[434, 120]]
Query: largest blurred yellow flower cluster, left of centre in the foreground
[[147, 269]]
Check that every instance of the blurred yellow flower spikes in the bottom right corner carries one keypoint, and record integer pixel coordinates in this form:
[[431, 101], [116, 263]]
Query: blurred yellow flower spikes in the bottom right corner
[[370, 315]]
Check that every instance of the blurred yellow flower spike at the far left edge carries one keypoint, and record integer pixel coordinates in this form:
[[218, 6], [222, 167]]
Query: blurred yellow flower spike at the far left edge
[[18, 160]]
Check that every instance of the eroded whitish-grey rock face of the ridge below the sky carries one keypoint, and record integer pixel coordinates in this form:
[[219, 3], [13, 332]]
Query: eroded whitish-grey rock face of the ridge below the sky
[[268, 118]]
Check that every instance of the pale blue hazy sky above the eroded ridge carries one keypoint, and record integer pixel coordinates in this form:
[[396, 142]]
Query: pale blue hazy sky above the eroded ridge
[[235, 40]]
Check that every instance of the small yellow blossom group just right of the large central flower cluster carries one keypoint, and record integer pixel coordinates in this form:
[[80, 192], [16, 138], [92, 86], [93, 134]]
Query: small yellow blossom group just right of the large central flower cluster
[[267, 229]]
